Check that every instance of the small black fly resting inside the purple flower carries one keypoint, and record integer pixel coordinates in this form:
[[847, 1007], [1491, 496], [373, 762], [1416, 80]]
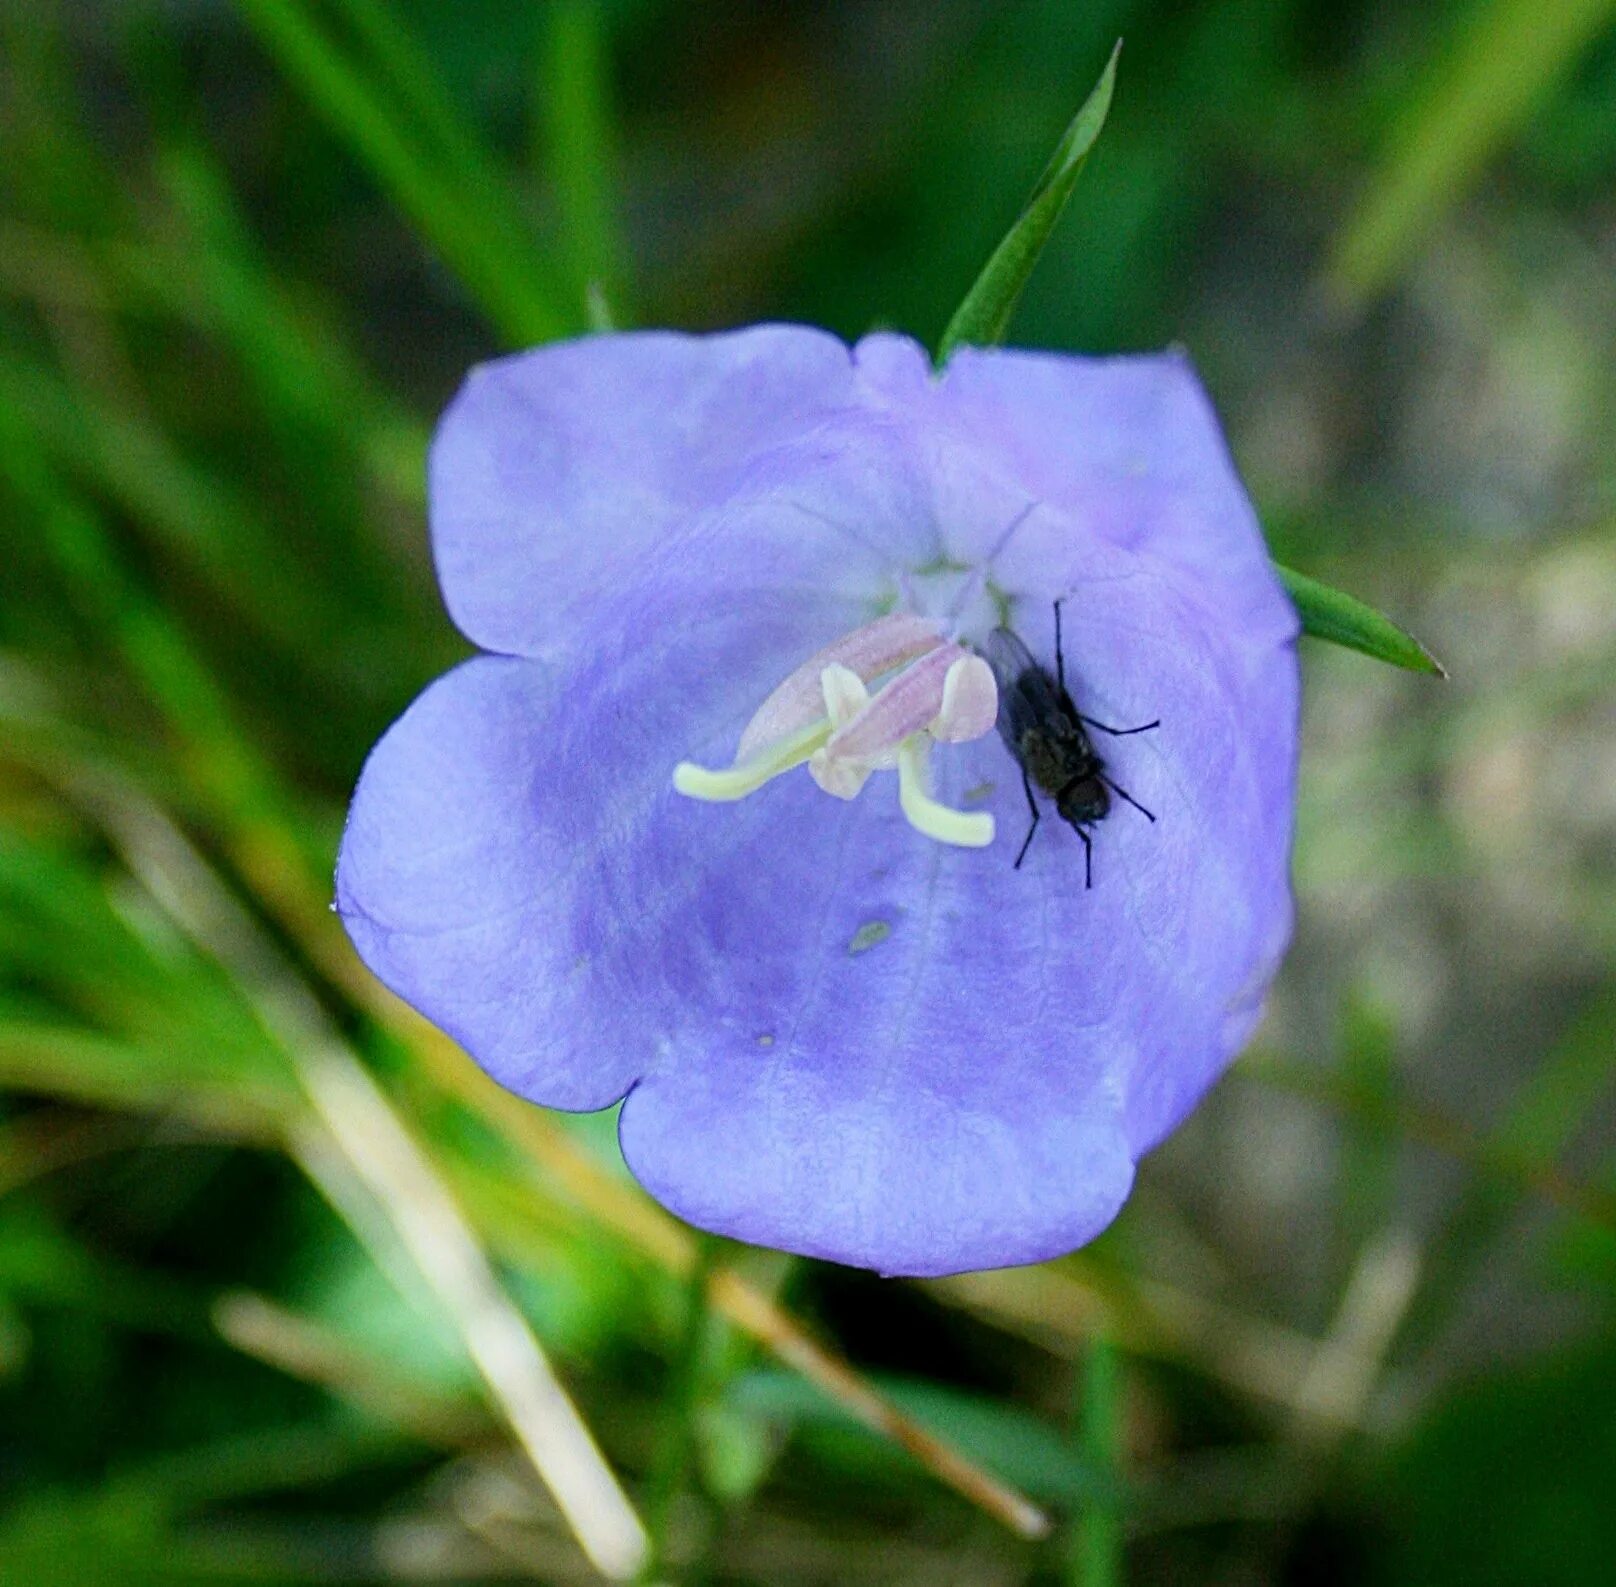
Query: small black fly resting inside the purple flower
[[1046, 735]]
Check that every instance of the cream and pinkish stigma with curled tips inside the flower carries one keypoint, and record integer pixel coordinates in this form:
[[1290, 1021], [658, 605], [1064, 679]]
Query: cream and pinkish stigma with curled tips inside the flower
[[880, 699]]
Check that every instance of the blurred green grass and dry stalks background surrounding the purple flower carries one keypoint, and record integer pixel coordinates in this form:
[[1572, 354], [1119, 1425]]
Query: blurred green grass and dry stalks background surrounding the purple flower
[[284, 1279]]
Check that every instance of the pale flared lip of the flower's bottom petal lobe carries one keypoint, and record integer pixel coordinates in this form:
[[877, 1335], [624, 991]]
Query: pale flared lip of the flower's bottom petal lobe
[[882, 1160]]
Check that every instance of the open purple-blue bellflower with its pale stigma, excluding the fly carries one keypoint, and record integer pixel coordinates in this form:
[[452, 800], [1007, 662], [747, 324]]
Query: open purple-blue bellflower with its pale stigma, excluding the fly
[[718, 822]]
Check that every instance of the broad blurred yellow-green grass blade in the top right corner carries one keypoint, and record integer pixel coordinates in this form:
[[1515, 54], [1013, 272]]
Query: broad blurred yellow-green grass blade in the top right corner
[[1505, 59]]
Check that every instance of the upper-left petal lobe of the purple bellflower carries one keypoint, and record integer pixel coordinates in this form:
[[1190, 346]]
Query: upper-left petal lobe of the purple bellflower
[[581, 468]]
